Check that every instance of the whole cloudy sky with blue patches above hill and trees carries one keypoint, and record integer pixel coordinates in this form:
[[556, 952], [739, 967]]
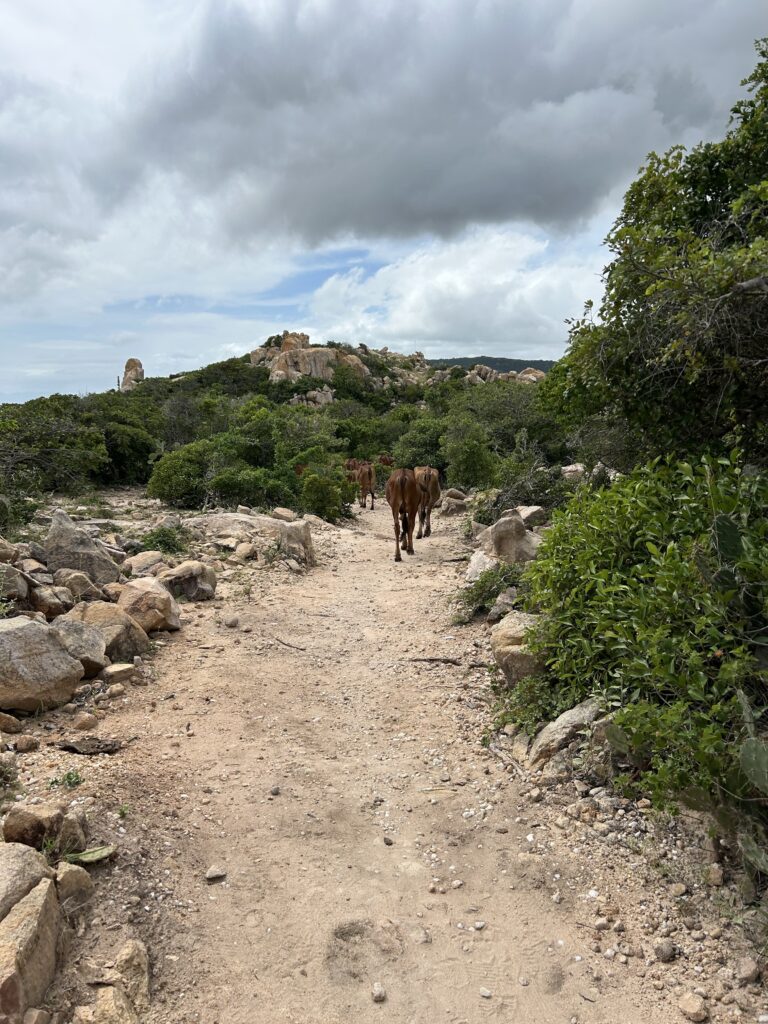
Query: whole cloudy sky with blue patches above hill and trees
[[180, 180]]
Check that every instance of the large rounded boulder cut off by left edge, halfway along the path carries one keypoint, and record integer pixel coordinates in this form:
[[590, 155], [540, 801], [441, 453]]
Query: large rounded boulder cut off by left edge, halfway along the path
[[36, 670]]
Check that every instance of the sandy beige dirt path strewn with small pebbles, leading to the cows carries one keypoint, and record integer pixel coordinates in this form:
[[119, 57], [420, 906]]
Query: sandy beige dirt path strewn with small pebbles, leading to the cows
[[392, 852]]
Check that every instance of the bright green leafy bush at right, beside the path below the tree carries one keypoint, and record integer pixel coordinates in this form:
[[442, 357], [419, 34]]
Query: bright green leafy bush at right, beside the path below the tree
[[654, 594]]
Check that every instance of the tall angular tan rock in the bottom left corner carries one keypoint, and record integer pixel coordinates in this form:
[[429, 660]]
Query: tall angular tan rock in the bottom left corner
[[29, 944]]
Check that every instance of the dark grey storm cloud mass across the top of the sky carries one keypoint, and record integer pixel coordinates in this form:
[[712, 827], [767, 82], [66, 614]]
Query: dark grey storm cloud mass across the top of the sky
[[401, 118]]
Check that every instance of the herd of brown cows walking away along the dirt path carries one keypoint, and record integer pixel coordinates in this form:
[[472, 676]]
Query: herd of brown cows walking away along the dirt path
[[411, 494]]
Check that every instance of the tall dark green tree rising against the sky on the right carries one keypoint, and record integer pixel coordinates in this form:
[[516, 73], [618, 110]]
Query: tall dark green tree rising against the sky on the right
[[679, 348]]
